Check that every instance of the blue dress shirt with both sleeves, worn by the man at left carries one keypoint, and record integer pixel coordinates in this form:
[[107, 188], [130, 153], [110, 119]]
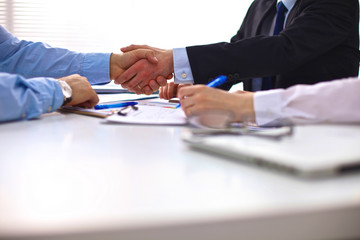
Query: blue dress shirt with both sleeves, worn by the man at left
[[28, 87]]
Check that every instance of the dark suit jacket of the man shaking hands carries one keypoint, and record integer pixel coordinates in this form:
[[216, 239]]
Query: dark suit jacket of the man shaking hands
[[319, 43]]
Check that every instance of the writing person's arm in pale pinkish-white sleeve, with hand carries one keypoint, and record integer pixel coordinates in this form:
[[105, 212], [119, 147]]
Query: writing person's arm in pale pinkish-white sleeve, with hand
[[335, 101]]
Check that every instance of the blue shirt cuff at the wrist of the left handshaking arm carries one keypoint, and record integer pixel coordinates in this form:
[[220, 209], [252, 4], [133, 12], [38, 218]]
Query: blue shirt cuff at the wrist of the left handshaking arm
[[96, 68]]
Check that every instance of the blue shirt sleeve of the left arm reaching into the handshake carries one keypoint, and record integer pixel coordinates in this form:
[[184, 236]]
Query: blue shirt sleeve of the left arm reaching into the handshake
[[36, 59]]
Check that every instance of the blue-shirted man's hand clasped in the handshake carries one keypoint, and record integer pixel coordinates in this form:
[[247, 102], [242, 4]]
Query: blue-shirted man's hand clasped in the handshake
[[120, 62]]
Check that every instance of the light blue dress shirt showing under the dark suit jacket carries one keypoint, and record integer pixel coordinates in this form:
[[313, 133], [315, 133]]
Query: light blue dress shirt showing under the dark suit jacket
[[182, 69]]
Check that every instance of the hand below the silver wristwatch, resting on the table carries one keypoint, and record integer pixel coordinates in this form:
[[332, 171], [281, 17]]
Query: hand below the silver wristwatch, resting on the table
[[83, 95]]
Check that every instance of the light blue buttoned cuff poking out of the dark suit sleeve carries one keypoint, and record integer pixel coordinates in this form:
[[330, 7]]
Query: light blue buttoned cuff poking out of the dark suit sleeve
[[182, 69]]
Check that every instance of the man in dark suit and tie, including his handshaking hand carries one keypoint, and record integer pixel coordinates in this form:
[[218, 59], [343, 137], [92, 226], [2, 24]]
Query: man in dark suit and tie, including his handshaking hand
[[319, 42]]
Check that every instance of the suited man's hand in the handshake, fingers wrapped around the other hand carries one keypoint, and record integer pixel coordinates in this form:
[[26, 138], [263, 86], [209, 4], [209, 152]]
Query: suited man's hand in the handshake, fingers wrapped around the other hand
[[145, 76]]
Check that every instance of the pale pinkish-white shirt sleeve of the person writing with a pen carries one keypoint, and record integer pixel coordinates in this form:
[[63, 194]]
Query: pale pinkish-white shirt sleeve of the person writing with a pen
[[331, 102]]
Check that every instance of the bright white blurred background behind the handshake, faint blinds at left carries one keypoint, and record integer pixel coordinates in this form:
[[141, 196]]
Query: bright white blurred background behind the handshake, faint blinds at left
[[107, 25]]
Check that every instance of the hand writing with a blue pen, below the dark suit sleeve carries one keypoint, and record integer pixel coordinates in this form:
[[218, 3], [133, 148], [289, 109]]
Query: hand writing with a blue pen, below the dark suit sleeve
[[200, 98]]
